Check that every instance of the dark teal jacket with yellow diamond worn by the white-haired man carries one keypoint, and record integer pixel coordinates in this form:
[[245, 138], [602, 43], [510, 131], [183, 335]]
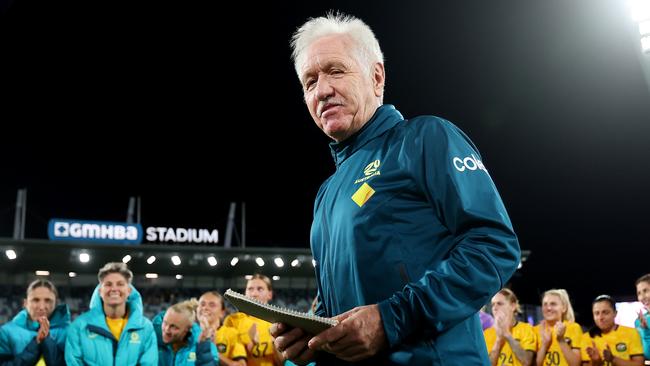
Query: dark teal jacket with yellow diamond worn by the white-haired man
[[411, 220]]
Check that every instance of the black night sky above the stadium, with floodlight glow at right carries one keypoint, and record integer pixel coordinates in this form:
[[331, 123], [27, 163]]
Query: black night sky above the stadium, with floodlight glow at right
[[171, 102]]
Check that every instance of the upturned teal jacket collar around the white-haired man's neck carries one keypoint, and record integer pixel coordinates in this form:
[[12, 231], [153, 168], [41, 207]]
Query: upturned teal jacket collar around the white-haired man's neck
[[385, 118]]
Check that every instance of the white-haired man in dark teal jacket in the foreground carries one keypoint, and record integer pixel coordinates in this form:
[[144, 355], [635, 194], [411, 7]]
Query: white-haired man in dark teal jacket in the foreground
[[410, 235]]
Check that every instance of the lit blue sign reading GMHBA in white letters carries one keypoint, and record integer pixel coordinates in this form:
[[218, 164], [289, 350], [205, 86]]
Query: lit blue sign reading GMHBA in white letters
[[94, 231]]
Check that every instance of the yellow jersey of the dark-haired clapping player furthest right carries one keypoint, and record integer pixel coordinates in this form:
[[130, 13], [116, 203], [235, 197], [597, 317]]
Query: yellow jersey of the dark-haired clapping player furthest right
[[624, 342]]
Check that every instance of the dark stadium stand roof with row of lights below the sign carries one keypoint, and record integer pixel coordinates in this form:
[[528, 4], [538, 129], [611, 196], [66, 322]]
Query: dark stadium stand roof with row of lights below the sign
[[37, 254]]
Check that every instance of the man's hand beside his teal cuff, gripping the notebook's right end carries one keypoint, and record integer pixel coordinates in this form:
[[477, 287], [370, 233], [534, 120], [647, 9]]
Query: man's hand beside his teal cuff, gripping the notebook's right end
[[359, 335]]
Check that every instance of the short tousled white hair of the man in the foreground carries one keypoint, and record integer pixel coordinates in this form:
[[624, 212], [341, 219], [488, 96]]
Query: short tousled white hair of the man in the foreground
[[367, 50]]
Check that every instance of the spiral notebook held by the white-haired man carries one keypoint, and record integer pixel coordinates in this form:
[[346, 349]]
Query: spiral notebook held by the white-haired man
[[310, 323]]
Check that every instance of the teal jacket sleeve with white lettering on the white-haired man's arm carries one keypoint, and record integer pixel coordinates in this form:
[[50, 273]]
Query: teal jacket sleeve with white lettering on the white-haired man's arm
[[485, 251]]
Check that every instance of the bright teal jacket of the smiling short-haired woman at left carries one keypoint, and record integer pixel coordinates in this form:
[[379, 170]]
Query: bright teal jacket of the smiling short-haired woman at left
[[90, 342]]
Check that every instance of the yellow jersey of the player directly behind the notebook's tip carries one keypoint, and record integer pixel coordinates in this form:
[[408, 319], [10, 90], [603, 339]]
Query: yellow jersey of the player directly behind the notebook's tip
[[263, 353]]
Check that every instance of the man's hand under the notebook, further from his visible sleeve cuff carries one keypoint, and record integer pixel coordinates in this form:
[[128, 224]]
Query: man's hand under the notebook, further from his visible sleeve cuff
[[292, 343]]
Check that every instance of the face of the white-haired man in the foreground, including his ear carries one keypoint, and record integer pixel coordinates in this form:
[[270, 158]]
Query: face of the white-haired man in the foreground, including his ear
[[340, 94]]
